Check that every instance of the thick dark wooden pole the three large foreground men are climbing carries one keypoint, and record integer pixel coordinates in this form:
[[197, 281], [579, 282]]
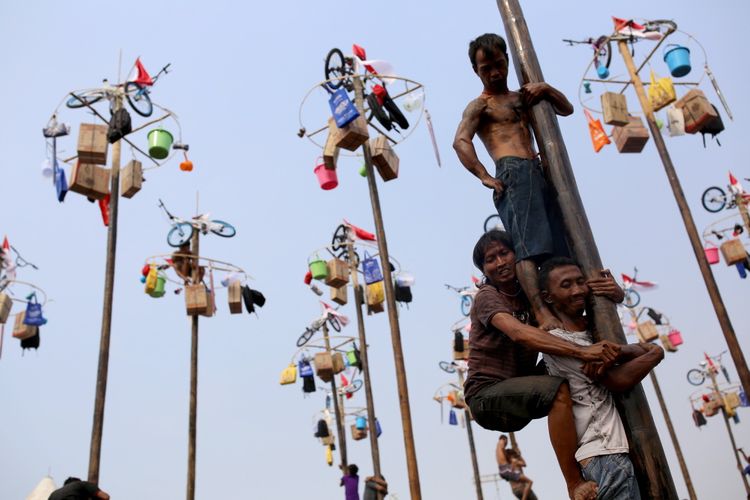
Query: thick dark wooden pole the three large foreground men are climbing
[[646, 452]]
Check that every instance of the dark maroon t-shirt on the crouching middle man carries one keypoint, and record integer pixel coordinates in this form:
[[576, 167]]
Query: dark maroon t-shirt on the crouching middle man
[[493, 356]]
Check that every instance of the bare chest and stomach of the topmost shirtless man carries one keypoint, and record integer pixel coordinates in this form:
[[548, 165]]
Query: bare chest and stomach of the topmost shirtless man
[[504, 126]]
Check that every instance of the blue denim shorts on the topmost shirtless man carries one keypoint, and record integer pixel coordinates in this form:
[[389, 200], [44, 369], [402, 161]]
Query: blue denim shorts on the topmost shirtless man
[[527, 211]]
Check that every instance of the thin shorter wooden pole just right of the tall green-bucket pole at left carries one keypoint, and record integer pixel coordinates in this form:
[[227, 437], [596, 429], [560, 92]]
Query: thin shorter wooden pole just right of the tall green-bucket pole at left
[[193, 412]]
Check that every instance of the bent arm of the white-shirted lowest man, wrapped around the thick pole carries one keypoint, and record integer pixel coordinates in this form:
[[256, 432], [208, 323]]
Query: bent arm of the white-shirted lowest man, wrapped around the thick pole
[[639, 360]]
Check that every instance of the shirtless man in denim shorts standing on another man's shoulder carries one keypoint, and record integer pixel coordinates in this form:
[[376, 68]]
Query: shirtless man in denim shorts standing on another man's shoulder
[[500, 118]]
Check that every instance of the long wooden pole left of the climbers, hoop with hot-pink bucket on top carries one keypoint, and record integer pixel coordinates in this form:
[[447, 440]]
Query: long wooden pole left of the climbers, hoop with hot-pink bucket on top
[[398, 353]]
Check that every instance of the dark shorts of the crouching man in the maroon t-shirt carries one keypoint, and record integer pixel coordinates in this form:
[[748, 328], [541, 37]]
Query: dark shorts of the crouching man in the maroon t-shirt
[[509, 406]]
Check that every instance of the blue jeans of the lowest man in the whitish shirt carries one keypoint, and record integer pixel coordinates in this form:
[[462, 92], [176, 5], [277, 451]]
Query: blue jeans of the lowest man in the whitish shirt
[[614, 475]]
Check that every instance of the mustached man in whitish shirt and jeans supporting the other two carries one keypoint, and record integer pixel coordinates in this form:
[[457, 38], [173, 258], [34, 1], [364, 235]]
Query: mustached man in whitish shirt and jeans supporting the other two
[[602, 444]]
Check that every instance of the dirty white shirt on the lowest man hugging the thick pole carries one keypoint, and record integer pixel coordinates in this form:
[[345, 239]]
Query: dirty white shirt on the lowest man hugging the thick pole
[[598, 425]]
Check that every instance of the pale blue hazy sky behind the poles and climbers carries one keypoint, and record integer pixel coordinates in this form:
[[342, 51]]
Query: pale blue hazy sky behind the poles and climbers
[[239, 73]]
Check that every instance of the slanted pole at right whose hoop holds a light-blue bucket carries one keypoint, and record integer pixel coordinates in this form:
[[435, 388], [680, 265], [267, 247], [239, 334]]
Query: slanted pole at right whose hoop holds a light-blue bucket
[[708, 278]]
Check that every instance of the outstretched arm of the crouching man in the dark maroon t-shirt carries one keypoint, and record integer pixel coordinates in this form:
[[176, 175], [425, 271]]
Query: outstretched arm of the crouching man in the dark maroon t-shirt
[[604, 352]]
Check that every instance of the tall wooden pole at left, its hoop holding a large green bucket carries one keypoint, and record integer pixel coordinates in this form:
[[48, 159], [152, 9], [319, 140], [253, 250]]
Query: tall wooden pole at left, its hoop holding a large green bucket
[[109, 285]]
